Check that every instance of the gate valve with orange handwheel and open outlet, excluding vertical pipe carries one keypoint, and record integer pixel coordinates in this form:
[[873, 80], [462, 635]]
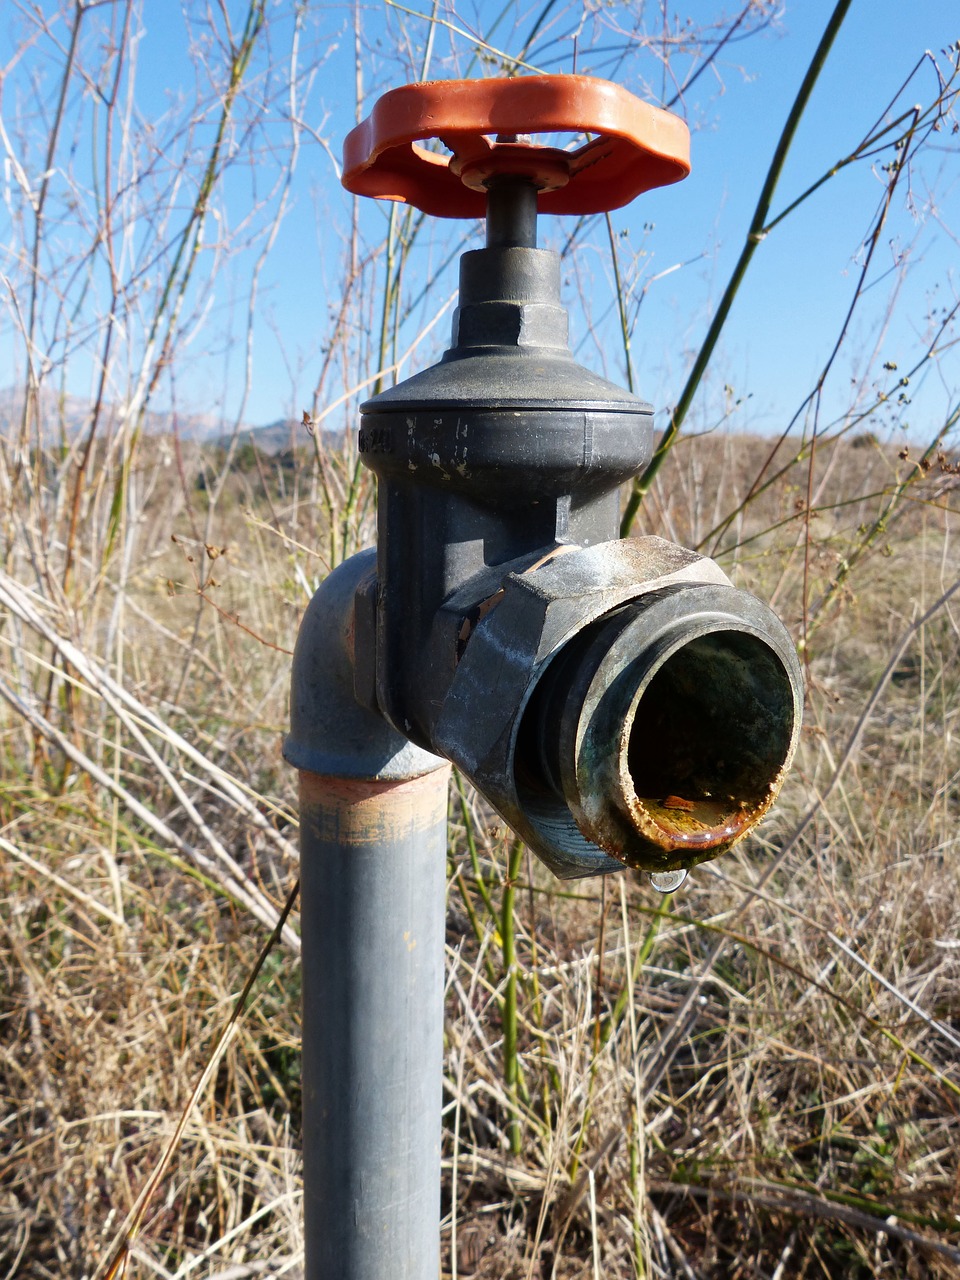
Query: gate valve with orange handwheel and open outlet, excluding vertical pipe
[[616, 702]]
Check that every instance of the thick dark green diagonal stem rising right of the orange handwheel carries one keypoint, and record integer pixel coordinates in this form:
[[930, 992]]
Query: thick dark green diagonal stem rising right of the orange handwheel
[[755, 236]]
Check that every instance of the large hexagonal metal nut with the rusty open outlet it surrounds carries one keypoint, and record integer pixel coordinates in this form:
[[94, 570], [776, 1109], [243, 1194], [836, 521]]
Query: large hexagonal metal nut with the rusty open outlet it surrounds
[[554, 705]]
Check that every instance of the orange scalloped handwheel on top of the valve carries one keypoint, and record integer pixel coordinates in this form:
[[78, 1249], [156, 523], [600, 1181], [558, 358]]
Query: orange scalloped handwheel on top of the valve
[[487, 126]]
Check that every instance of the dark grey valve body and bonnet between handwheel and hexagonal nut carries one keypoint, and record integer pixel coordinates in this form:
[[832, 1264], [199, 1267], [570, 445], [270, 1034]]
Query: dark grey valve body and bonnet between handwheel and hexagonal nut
[[501, 452]]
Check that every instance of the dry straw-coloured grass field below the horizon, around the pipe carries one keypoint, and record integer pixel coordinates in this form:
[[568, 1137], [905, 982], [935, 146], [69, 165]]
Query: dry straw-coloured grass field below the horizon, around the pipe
[[757, 1077]]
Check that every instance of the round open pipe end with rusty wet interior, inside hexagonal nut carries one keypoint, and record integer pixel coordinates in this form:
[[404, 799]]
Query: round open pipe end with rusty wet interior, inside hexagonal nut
[[666, 729]]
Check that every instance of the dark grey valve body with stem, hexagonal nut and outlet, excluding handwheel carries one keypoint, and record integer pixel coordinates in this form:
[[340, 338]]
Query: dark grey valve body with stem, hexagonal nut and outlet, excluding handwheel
[[491, 464]]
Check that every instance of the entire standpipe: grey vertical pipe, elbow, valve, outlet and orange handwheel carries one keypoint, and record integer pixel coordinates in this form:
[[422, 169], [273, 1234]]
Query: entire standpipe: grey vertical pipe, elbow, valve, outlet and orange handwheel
[[607, 698]]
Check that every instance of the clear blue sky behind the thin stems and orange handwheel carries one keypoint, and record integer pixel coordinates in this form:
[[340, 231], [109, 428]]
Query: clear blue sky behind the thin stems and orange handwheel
[[790, 309]]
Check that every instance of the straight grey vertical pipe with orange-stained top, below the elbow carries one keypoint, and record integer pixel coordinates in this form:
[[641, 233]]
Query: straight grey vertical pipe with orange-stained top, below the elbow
[[373, 879]]
